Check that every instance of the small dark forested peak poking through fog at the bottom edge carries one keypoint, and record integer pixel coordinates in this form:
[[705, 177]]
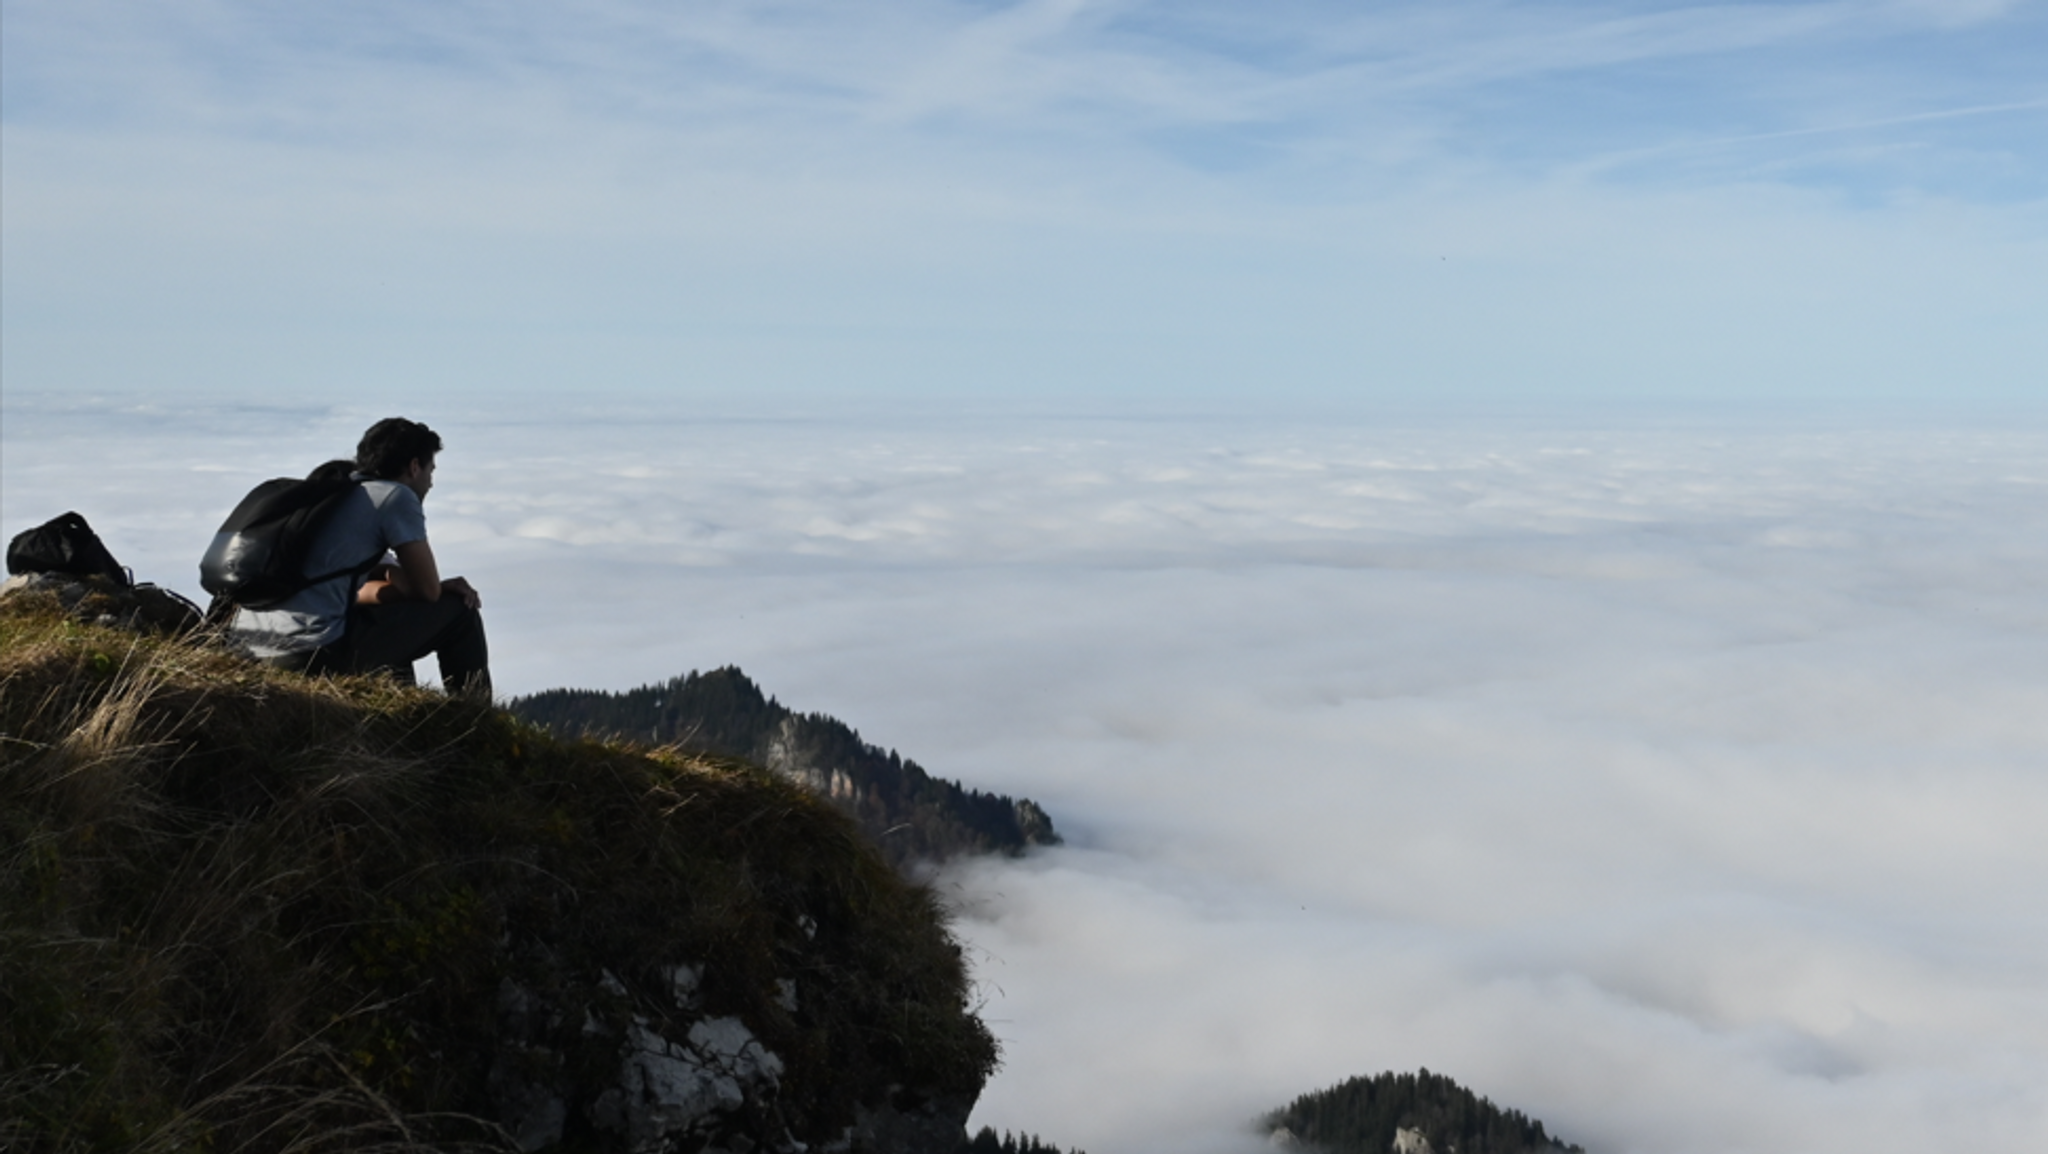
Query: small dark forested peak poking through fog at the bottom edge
[[1363, 1116]]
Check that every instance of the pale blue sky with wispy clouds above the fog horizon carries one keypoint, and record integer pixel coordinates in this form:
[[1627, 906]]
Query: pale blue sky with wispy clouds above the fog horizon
[[1062, 202]]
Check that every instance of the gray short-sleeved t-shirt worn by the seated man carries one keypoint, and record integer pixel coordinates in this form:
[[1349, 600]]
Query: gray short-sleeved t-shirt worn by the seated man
[[370, 522]]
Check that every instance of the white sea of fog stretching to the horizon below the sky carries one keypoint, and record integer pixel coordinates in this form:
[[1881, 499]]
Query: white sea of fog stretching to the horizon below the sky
[[1680, 782]]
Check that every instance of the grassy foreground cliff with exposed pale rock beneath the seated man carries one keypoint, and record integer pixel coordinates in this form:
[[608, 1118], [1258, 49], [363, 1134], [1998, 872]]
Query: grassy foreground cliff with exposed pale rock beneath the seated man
[[247, 911]]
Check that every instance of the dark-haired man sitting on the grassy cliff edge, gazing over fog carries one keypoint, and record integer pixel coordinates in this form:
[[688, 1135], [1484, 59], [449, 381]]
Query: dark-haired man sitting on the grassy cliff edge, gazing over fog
[[396, 612]]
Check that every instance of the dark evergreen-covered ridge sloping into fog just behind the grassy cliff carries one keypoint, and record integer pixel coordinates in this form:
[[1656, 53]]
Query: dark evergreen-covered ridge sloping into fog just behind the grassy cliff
[[910, 815]]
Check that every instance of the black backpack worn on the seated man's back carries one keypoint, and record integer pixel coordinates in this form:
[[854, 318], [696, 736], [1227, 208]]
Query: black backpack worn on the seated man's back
[[259, 557]]
